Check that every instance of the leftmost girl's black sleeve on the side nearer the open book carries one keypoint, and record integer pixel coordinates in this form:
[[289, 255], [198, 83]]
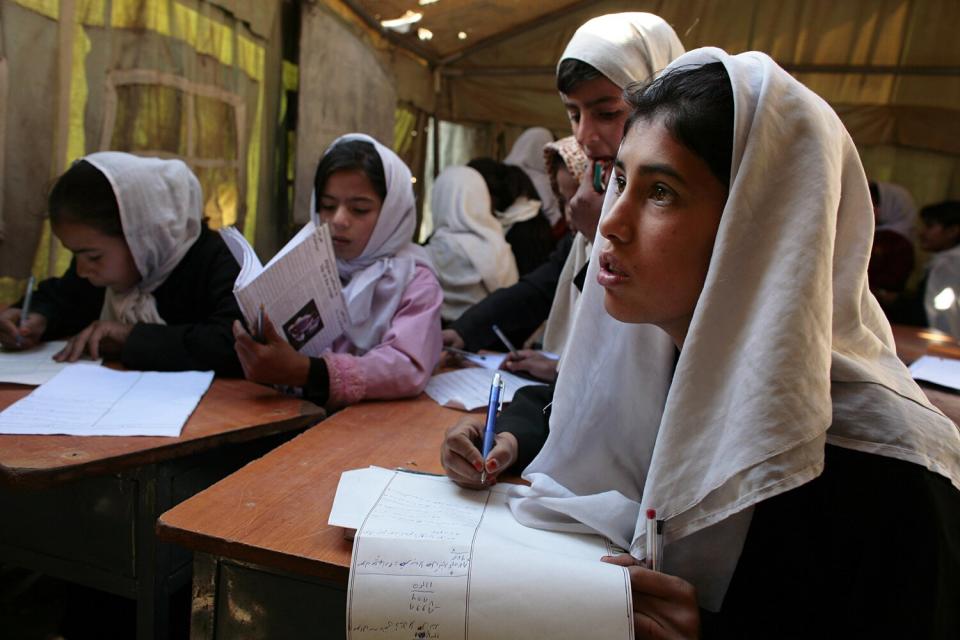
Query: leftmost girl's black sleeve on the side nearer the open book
[[197, 303]]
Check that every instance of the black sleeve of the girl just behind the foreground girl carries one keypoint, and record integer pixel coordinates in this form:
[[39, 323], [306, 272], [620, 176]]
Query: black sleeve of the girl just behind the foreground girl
[[518, 310]]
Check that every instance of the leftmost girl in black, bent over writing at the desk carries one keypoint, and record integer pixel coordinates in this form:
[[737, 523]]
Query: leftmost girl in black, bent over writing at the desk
[[149, 285]]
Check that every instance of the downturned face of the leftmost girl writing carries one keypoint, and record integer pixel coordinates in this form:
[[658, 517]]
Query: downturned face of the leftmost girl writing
[[104, 260]]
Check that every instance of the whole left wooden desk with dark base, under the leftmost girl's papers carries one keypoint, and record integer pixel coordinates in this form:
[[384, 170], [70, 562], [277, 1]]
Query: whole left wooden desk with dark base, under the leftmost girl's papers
[[84, 508]]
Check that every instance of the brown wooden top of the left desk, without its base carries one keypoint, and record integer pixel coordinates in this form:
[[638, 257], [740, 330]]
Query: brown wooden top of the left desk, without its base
[[231, 411]]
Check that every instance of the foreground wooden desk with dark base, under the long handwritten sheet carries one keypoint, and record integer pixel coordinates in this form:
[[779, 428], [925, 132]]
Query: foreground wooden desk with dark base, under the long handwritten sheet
[[270, 566]]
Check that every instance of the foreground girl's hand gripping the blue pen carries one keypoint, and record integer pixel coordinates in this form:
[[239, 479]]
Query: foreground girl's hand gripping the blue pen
[[461, 457]]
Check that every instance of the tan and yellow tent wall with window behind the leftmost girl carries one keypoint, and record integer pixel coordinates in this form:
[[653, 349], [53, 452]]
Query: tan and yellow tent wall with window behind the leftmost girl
[[170, 78]]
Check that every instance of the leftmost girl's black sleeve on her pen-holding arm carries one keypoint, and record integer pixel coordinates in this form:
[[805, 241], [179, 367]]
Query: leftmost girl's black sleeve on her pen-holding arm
[[69, 303]]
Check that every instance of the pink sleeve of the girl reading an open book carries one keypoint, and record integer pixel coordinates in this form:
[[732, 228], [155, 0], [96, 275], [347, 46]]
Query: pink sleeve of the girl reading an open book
[[402, 363]]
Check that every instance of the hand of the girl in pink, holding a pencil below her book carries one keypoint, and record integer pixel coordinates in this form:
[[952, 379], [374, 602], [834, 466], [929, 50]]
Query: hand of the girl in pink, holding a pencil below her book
[[272, 362]]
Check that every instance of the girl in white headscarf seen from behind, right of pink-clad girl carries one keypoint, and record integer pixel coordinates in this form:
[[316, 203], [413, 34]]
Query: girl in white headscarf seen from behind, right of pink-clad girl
[[469, 251]]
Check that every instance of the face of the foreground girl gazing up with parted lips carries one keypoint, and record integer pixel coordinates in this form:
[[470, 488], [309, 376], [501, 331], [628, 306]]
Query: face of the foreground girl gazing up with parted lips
[[660, 233]]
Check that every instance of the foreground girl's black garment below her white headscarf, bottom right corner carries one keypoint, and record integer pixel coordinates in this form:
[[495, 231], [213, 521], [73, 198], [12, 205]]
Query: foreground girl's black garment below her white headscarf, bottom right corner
[[870, 549]]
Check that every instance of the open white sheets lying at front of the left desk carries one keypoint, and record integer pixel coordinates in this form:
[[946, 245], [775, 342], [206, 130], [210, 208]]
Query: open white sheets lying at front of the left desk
[[89, 400]]
